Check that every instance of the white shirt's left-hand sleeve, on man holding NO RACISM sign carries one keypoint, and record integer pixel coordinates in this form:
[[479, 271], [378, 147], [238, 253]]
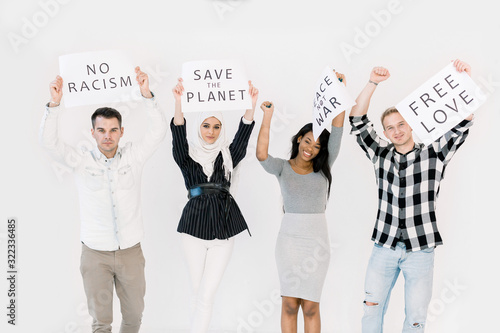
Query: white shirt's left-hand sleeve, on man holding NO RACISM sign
[[49, 138]]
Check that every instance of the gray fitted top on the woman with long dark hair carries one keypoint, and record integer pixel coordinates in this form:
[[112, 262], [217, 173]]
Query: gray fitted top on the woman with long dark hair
[[304, 194]]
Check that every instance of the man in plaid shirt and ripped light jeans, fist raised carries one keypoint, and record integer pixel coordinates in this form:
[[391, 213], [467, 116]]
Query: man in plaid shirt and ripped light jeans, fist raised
[[405, 234]]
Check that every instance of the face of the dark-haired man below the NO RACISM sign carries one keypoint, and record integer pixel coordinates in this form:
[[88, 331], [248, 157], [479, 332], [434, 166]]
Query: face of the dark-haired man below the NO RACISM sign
[[107, 134]]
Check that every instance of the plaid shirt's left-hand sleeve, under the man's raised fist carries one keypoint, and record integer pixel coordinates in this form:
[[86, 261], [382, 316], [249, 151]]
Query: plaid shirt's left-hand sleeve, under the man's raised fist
[[367, 138]]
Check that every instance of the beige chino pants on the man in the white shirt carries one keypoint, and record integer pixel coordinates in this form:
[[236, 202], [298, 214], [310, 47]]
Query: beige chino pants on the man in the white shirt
[[124, 269]]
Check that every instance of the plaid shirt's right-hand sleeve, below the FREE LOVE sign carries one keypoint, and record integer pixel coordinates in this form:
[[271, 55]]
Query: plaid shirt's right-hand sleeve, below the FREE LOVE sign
[[447, 145]]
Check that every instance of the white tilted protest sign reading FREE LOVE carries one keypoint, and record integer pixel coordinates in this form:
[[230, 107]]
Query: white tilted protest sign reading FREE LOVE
[[441, 103]]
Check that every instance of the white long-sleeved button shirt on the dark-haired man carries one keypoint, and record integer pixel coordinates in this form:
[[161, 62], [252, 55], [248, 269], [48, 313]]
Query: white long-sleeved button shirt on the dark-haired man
[[109, 188]]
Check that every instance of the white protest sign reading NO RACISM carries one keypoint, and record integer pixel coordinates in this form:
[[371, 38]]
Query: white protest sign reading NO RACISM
[[98, 78]]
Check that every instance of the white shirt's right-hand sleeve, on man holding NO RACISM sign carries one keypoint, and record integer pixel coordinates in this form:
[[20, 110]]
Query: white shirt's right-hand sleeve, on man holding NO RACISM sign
[[157, 128]]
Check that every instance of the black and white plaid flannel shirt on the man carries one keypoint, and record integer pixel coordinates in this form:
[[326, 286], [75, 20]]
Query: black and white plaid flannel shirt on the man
[[408, 185]]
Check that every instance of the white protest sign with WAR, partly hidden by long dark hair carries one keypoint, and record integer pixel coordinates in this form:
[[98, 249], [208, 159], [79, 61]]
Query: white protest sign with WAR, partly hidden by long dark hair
[[330, 98]]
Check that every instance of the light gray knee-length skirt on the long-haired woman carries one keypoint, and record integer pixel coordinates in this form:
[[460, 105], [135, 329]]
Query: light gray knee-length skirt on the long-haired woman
[[303, 255]]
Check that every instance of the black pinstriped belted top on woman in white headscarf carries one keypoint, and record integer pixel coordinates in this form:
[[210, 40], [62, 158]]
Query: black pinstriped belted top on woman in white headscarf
[[204, 216]]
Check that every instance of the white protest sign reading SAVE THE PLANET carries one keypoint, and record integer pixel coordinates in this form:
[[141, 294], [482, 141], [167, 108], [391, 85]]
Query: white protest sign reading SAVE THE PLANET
[[214, 85]]
